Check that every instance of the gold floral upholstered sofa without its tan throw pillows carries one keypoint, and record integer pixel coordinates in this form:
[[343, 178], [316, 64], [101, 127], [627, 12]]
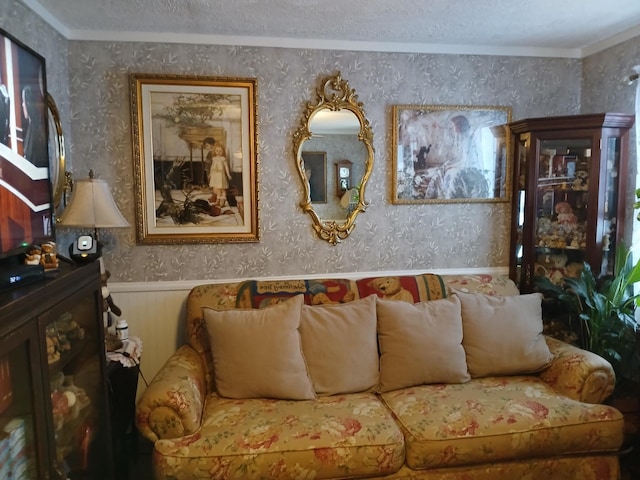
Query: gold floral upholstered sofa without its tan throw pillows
[[516, 428]]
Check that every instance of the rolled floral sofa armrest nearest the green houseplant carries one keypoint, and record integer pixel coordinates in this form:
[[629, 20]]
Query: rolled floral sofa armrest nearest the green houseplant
[[579, 374]]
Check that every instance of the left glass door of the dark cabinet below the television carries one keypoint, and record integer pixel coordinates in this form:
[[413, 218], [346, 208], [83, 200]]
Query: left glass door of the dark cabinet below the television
[[22, 454]]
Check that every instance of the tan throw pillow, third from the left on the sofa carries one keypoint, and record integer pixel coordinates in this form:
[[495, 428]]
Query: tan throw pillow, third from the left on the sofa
[[420, 343]]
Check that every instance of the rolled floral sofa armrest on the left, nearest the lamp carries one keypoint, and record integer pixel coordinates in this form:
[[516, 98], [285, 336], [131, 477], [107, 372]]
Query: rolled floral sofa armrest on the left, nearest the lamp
[[172, 404]]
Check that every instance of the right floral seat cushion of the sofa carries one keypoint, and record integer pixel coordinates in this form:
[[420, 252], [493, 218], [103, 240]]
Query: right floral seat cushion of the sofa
[[495, 419]]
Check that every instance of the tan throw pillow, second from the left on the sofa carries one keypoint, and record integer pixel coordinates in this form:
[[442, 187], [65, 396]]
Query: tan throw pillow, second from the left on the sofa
[[340, 345]]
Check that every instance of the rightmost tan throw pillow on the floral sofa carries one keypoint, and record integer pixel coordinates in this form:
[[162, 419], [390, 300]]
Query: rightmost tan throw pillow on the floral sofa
[[503, 335]]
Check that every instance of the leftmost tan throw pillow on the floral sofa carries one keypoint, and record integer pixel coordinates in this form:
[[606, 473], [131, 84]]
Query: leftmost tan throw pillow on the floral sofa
[[257, 353]]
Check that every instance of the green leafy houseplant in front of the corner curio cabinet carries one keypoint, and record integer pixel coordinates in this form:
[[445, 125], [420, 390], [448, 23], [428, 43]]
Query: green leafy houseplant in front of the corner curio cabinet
[[604, 310]]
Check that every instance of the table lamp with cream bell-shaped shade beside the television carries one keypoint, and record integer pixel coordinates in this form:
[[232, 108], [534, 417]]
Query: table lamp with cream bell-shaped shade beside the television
[[91, 205]]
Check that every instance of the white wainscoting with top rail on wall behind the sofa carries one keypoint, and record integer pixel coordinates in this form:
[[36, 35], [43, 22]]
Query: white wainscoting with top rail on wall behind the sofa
[[155, 310]]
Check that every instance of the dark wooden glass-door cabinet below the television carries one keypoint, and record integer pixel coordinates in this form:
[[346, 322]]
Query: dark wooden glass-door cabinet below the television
[[54, 420]]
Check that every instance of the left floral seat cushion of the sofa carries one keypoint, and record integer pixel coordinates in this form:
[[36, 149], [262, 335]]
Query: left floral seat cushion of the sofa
[[341, 436]]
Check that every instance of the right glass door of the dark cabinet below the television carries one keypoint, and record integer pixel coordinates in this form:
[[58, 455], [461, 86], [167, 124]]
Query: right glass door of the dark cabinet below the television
[[75, 385]]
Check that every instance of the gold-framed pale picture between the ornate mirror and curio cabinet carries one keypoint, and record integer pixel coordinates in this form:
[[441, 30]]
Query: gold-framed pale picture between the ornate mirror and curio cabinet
[[450, 154]]
